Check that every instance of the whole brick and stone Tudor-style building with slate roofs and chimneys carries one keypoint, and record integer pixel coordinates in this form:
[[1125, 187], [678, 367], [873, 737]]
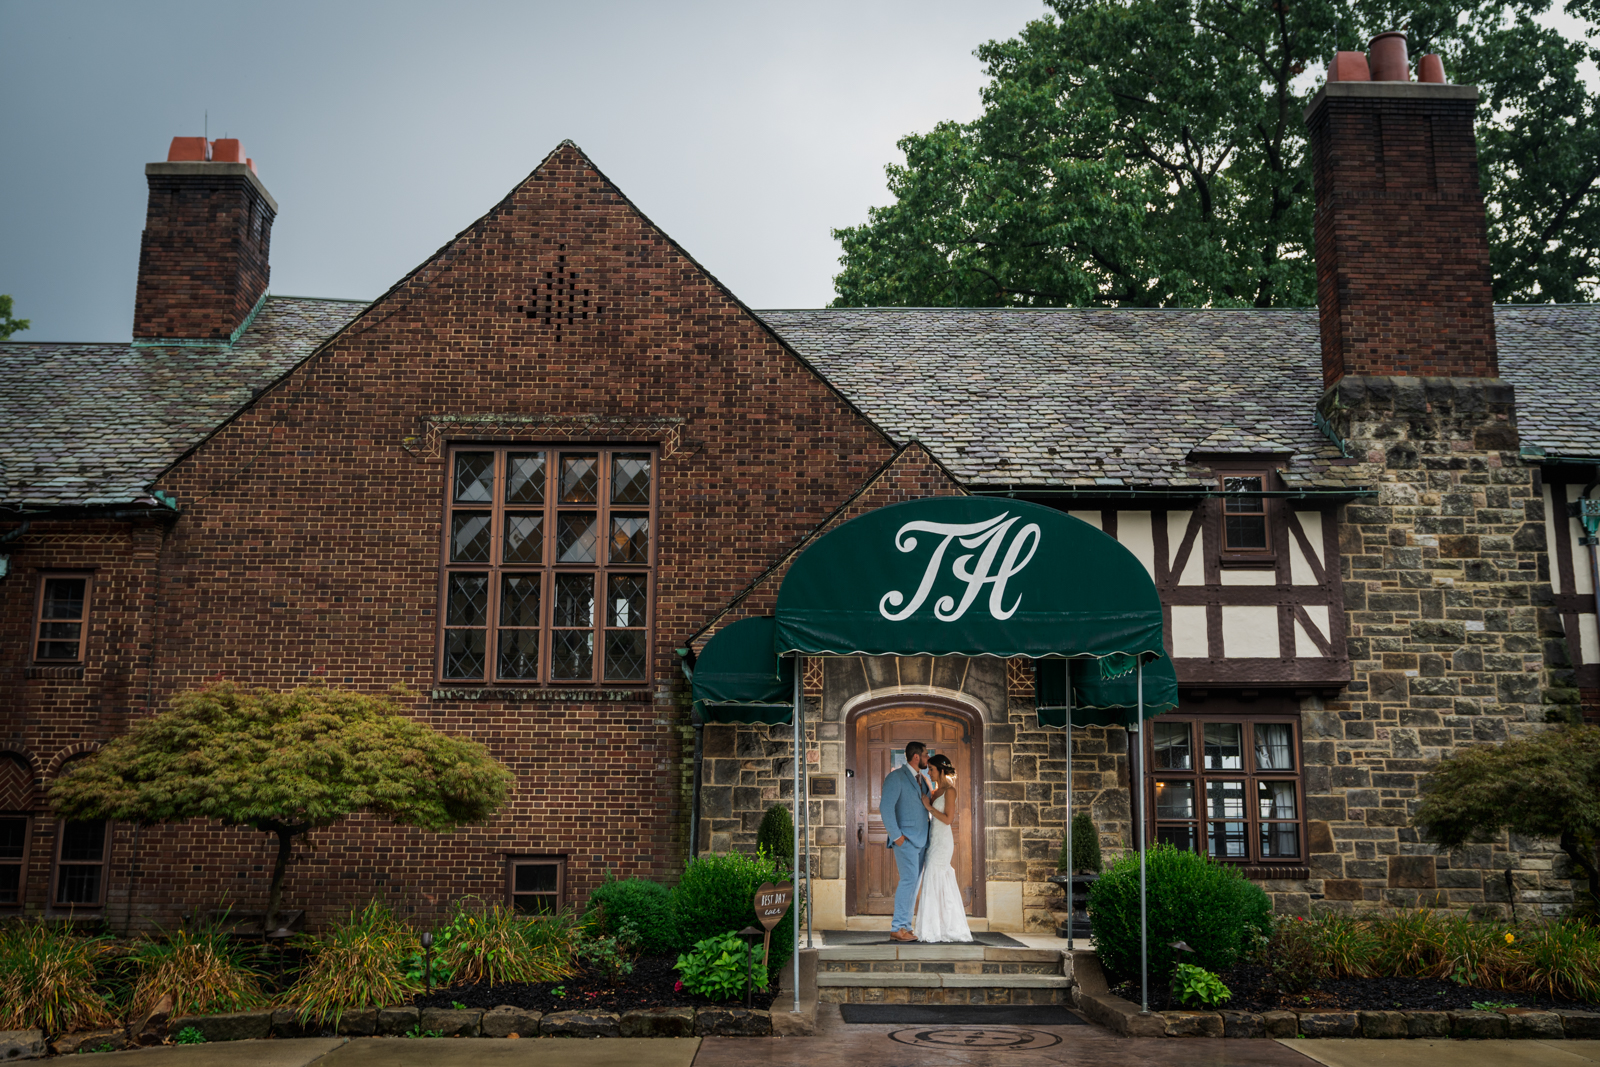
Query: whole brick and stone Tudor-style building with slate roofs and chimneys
[[559, 452]]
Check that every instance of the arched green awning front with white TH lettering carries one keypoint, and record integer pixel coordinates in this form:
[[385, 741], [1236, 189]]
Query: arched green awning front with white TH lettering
[[969, 577]]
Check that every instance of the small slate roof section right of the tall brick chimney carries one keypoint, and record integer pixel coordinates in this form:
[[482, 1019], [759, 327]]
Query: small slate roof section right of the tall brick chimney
[[1551, 353]]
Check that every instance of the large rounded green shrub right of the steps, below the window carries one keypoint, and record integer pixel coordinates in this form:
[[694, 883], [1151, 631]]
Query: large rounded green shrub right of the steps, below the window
[[1209, 906]]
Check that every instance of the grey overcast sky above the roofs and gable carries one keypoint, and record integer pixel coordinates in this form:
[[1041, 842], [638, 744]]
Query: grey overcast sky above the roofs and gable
[[746, 130]]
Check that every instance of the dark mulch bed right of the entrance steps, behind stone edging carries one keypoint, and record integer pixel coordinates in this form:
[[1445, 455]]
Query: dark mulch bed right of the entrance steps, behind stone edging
[[1254, 993]]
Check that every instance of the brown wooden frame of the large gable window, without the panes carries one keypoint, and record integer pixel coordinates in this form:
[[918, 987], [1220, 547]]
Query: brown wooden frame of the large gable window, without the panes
[[550, 569]]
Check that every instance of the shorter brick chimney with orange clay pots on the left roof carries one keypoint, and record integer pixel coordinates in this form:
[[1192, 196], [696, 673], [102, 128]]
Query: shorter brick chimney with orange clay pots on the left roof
[[204, 254]]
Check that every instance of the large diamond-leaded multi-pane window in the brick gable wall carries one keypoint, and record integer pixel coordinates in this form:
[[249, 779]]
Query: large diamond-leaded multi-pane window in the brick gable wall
[[548, 565]]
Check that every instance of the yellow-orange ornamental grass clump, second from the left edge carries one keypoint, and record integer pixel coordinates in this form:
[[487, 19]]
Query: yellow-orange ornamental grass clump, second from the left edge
[[201, 967]]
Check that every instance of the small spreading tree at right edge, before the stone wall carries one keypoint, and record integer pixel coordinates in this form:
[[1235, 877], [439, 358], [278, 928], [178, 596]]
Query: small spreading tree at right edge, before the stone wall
[[1543, 786]]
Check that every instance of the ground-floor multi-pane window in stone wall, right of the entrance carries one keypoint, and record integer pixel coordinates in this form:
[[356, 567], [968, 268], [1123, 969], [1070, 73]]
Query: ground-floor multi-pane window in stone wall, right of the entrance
[[1226, 786]]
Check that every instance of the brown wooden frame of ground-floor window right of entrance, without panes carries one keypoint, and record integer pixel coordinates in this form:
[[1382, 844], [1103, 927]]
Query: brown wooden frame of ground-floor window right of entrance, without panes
[[1249, 773]]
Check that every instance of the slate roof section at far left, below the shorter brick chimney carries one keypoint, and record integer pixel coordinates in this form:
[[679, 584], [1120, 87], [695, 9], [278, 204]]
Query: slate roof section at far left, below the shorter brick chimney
[[97, 423]]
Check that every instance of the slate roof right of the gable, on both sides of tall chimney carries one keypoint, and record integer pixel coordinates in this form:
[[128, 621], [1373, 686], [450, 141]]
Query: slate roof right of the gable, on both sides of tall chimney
[[1087, 398]]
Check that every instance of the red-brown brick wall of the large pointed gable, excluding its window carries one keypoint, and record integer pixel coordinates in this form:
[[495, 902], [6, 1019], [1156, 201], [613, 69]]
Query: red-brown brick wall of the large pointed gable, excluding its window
[[310, 543]]
